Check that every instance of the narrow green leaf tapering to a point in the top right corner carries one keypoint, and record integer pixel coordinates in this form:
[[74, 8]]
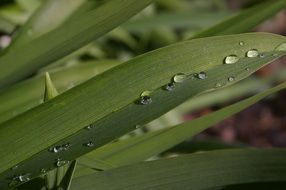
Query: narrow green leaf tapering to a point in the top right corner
[[246, 20]]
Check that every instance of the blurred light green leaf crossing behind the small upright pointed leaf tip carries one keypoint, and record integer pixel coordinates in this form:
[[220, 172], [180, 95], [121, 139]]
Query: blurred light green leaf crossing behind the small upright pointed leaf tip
[[14, 101]]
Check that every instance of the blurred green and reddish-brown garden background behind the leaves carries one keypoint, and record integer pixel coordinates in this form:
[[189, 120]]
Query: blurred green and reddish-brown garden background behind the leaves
[[161, 24]]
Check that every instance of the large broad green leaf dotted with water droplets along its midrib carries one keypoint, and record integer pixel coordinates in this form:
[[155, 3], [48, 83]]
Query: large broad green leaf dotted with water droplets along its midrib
[[108, 100]]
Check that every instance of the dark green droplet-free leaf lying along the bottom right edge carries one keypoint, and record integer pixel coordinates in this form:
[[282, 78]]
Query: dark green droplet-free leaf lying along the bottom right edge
[[195, 171]]
